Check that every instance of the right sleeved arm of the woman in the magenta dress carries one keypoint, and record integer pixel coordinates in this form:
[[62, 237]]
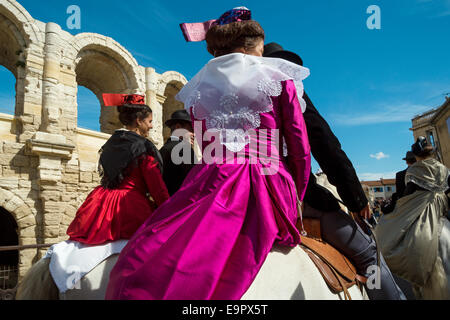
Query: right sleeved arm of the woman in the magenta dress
[[296, 137]]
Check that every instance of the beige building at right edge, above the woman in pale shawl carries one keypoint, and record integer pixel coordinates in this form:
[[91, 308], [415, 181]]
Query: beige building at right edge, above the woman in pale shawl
[[435, 126]]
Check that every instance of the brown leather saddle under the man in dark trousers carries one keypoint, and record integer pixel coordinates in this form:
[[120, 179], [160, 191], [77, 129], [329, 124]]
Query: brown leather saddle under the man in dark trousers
[[338, 272]]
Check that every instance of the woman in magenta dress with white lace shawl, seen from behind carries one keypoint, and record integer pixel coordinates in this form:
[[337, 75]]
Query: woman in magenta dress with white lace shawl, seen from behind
[[210, 239]]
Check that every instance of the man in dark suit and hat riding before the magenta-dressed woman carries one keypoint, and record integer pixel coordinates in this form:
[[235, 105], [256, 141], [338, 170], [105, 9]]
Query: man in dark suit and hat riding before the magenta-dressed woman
[[338, 228]]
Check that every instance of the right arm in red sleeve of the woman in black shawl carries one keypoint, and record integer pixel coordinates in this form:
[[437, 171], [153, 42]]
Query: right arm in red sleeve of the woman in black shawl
[[153, 180]]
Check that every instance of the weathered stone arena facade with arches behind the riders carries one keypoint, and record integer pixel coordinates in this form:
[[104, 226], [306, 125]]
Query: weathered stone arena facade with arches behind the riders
[[47, 164]]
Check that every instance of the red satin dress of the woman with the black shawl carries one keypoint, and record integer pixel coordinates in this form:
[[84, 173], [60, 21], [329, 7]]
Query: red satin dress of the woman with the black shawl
[[113, 214]]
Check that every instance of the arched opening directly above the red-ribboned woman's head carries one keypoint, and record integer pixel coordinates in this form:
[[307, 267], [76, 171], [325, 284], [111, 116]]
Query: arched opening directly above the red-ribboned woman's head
[[100, 72]]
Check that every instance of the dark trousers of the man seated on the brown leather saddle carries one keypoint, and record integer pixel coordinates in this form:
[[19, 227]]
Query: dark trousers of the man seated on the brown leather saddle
[[342, 232]]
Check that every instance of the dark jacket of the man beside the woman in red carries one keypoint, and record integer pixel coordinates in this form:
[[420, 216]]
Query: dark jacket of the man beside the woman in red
[[174, 174]]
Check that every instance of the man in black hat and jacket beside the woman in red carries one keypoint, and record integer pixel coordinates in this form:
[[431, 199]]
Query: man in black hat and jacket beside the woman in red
[[181, 130]]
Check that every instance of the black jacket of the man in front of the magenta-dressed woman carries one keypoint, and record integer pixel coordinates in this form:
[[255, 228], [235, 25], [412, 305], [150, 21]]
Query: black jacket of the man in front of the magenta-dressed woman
[[326, 149]]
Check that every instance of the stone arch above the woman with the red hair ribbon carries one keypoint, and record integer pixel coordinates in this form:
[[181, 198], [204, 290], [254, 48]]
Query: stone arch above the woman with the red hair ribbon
[[103, 66]]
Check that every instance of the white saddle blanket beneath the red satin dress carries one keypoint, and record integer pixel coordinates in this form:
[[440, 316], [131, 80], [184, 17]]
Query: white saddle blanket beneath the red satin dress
[[72, 260]]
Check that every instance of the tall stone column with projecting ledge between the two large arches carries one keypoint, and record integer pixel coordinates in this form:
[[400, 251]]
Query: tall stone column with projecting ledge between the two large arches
[[49, 144]]
